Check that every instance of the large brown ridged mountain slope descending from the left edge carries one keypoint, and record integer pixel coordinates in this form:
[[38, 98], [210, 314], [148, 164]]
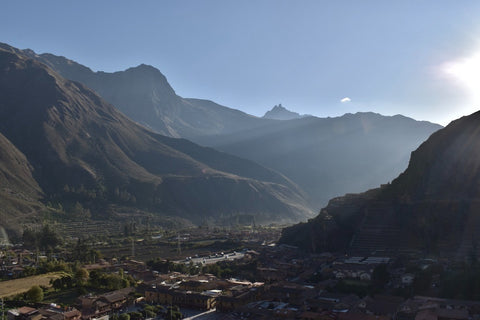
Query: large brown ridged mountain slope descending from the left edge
[[79, 148]]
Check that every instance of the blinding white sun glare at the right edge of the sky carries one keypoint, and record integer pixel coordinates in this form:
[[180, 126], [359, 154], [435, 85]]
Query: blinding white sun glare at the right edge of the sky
[[467, 72]]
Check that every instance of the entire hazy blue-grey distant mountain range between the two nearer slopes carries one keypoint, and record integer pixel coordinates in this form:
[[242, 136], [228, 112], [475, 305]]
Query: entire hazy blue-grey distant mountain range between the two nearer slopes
[[325, 157]]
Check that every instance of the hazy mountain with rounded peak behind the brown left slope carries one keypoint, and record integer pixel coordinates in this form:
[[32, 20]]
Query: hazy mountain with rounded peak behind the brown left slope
[[143, 94]]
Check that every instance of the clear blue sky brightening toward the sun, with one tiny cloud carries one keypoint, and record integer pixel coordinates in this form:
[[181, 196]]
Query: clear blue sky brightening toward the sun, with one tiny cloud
[[413, 57]]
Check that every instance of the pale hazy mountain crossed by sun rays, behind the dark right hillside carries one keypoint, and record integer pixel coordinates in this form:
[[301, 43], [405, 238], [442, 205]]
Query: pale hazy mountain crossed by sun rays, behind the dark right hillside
[[328, 157]]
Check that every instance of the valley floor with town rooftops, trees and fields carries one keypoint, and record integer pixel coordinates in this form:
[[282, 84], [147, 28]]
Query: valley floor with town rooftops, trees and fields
[[247, 276]]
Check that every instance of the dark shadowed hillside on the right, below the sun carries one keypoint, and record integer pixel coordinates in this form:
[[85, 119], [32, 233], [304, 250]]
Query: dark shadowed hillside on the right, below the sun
[[433, 206]]
